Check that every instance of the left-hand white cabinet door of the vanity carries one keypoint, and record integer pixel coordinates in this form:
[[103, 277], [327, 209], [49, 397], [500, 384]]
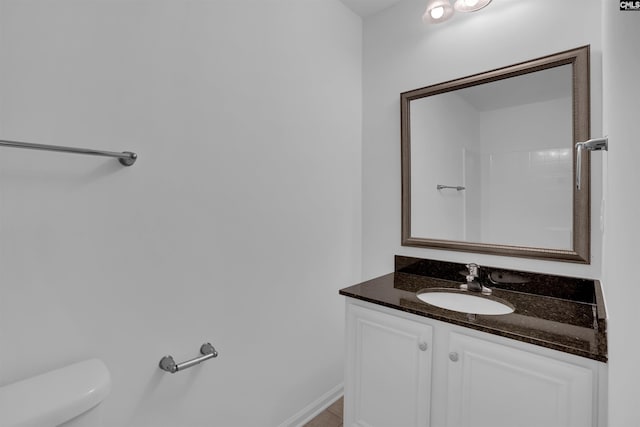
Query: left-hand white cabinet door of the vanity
[[388, 370]]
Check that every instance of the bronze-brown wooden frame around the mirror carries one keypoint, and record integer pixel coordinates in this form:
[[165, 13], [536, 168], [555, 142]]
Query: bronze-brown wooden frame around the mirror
[[580, 253]]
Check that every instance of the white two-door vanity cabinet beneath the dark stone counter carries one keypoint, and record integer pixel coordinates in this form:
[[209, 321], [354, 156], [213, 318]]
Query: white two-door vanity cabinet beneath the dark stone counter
[[460, 377]]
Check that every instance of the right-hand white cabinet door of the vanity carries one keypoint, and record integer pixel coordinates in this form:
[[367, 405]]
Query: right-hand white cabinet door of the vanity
[[492, 385]]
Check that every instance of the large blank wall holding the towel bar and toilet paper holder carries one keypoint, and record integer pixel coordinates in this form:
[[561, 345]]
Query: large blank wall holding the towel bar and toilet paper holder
[[237, 225]]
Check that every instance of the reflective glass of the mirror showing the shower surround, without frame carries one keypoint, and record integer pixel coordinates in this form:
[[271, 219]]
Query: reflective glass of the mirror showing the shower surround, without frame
[[482, 138]]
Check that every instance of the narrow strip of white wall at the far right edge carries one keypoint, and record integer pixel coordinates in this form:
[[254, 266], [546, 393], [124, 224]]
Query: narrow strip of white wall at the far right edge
[[621, 68]]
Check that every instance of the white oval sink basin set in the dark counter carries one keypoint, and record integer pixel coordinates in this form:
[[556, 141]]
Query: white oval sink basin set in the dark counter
[[464, 302]]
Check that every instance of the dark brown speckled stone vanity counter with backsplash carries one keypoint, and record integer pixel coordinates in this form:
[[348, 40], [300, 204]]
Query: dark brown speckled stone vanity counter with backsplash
[[562, 313]]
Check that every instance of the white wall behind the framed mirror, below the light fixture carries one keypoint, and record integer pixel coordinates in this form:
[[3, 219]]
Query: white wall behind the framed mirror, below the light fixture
[[401, 53]]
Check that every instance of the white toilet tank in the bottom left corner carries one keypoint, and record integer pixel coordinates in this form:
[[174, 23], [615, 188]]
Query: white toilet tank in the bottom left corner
[[55, 397]]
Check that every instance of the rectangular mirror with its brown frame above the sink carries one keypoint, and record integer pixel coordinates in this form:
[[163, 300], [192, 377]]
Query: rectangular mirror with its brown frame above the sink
[[488, 161]]
